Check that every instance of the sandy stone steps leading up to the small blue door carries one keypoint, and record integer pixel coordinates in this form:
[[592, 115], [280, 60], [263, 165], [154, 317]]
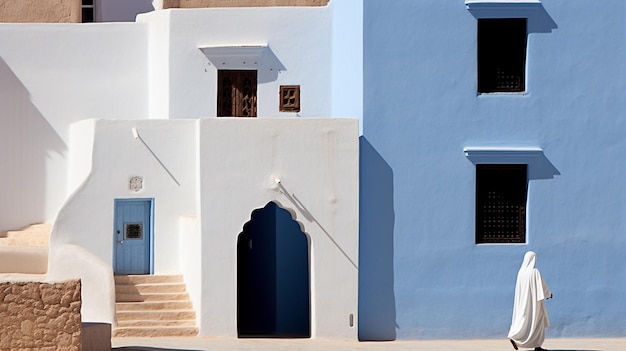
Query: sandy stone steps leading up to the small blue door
[[153, 305]]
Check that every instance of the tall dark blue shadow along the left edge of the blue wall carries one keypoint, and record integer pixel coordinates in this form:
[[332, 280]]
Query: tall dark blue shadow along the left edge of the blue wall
[[377, 305]]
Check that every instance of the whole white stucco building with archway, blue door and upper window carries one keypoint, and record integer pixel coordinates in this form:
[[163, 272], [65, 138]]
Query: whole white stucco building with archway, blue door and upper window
[[110, 132]]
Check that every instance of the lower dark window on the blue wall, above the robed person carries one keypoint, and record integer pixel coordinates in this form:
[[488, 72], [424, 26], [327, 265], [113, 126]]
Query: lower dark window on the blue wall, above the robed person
[[501, 203]]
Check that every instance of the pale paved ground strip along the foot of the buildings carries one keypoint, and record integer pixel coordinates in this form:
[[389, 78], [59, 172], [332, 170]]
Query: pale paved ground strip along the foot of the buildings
[[217, 344]]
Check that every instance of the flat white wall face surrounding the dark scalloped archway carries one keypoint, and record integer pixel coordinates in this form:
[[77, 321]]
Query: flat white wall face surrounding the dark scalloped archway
[[317, 163]]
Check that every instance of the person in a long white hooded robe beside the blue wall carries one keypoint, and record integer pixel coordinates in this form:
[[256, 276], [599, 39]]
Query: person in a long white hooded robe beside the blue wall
[[530, 317]]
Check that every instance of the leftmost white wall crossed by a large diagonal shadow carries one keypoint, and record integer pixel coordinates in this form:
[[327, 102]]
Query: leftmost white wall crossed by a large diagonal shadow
[[53, 75]]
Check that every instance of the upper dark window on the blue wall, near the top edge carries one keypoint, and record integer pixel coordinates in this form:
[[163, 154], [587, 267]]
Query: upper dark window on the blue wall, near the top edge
[[501, 55]]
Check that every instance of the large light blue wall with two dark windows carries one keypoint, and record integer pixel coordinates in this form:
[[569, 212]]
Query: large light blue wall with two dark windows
[[421, 274]]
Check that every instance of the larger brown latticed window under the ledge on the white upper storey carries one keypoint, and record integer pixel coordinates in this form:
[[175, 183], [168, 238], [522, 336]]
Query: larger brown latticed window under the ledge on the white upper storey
[[236, 93]]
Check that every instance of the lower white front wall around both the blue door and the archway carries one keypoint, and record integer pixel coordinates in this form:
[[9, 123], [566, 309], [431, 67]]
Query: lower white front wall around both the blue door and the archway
[[218, 171]]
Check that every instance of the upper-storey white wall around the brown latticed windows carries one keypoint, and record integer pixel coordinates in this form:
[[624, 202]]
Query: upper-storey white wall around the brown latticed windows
[[299, 42]]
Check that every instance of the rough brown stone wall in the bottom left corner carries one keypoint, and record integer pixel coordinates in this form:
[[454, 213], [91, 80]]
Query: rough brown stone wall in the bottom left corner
[[40, 316]]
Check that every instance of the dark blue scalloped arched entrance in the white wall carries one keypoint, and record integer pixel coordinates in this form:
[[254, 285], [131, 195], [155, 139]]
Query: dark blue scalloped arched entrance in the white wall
[[273, 285]]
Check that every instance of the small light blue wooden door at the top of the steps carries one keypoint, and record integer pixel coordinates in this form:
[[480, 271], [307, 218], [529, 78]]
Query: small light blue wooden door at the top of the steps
[[132, 236]]
